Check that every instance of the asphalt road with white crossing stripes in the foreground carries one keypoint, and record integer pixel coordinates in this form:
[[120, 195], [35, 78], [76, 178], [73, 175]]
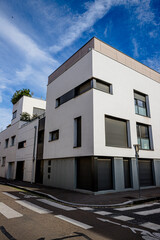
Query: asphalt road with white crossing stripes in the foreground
[[24, 216]]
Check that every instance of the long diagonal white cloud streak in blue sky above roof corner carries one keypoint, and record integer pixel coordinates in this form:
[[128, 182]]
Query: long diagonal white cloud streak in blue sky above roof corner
[[95, 11]]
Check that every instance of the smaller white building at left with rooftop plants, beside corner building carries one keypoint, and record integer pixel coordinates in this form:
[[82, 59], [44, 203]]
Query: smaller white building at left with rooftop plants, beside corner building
[[19, 141]]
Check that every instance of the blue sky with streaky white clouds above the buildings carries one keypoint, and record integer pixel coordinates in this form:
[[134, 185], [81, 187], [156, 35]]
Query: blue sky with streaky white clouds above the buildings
[[37, 36]]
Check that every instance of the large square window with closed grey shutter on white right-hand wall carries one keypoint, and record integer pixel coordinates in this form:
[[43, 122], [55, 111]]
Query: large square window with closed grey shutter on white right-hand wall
[[117, 132]]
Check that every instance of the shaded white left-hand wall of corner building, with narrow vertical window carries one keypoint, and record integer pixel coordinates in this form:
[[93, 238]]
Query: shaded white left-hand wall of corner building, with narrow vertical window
[[62, 118]]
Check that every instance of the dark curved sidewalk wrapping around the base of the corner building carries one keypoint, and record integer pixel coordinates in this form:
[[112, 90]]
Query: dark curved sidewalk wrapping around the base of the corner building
[[76, 198]]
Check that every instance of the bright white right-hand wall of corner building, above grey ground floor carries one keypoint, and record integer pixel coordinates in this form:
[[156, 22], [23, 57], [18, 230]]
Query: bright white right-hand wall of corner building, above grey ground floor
[[121, 105]]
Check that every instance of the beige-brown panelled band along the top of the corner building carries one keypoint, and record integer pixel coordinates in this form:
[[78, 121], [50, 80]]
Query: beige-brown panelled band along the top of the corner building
[[107, 50]]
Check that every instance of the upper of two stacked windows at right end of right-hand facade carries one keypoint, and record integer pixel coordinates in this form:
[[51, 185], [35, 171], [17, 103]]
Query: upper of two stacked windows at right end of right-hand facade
[[141, 104]]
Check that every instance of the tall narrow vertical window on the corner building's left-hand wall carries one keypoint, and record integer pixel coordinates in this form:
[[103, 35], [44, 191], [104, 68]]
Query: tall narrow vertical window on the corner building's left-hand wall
[[77, 132]]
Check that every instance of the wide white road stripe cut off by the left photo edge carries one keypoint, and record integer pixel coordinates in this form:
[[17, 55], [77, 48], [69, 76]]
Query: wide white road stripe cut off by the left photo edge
[[8, 212]]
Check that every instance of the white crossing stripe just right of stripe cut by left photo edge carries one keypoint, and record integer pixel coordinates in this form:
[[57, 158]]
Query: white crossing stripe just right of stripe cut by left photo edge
[[33, 207]]
